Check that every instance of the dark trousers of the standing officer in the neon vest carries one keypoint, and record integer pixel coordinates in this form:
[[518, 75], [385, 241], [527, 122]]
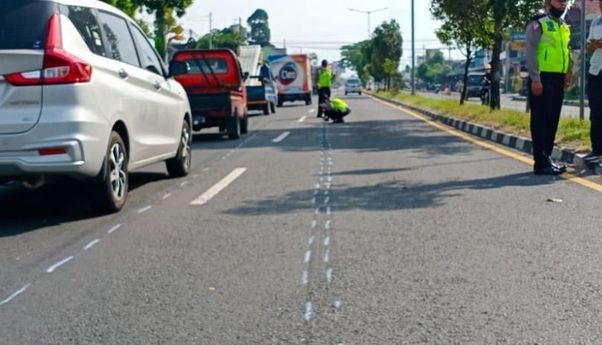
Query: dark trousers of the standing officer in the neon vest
[[545, 114]]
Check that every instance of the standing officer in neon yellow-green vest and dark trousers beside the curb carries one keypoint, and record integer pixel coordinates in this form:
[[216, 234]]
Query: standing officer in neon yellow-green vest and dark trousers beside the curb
[[549, 63]]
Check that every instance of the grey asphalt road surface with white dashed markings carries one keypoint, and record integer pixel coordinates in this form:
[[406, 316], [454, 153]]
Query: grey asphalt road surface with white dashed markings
[[381, 230]]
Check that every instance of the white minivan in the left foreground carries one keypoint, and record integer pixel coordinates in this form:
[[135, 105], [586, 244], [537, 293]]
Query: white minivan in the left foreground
[[84, 94]]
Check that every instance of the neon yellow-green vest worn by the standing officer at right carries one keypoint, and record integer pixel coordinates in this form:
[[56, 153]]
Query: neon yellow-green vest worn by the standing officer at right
[[553, 50]]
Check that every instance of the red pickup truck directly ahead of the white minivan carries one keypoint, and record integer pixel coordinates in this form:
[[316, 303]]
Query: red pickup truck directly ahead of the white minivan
[[215, 86]]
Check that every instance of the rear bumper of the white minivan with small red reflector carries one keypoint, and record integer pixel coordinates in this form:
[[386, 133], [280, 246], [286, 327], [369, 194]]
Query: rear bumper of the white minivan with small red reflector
[[72, 146]]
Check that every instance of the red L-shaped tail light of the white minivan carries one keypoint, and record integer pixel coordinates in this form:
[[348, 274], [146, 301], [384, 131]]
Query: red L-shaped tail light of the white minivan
[[59, 66]]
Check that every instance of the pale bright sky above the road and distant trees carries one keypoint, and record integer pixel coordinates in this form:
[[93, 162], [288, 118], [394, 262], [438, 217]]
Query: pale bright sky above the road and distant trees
[[321, 27]]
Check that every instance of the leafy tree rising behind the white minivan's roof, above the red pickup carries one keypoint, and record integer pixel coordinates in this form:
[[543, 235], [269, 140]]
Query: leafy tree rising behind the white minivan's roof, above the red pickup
[[165, 21]]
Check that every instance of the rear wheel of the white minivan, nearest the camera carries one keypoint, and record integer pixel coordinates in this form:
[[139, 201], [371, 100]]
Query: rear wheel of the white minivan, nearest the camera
[[113, 188]]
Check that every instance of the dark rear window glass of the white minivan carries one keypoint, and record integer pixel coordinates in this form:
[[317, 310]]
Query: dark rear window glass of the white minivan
[[23, 24]]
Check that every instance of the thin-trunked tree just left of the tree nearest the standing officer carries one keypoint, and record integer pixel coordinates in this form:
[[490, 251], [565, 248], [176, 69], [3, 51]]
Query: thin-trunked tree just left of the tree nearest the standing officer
[[462, 27]]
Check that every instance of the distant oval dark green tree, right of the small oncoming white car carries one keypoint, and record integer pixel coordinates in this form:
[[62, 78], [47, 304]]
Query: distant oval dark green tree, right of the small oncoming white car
[[386, 45]]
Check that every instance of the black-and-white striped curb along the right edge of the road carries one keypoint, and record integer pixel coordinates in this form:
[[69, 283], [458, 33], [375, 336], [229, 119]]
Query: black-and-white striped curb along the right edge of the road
[[510, 140]]
